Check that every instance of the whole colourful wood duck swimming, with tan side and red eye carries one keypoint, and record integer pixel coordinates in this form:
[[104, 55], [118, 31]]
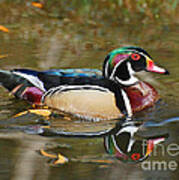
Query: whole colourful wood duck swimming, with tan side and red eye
[[84, 92]]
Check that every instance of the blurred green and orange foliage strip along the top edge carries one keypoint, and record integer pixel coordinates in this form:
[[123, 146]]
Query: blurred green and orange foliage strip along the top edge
[[113, 10]]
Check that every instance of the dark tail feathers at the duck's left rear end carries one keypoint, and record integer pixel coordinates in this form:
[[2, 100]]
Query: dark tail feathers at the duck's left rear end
[[13, 82]]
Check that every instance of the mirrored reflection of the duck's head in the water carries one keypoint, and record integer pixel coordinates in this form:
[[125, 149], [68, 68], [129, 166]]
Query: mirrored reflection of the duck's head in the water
[[125, 146]]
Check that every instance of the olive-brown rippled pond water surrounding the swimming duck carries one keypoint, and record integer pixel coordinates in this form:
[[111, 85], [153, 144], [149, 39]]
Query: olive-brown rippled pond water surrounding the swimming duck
[[40, 42]]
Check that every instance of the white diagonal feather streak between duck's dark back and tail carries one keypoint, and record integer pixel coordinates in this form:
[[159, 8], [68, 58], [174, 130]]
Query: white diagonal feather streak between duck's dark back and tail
[[34, 80]]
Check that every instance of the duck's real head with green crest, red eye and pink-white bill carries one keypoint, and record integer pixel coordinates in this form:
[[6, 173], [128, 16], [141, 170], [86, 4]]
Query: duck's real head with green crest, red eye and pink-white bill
[[121, 65]]
